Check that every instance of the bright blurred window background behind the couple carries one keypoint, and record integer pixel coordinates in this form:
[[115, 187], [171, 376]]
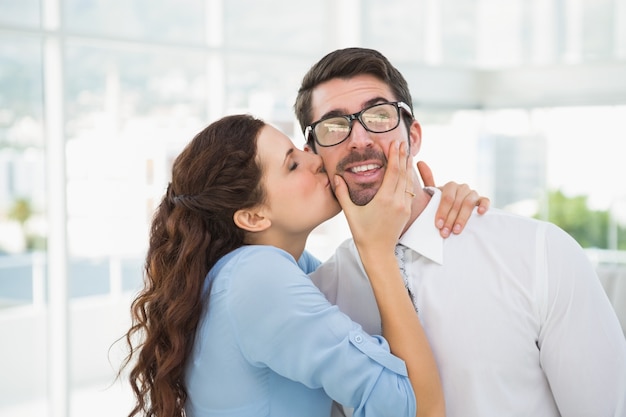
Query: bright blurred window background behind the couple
[[141, 77]]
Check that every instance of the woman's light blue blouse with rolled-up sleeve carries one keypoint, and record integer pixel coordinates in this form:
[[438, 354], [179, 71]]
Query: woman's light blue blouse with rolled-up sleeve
[[270, 344]]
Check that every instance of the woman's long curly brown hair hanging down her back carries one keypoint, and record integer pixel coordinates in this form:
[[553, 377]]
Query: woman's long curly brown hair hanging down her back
[[214, 176]]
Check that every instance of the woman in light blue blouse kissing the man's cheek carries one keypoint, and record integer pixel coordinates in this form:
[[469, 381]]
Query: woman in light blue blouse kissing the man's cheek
[[229, 324]]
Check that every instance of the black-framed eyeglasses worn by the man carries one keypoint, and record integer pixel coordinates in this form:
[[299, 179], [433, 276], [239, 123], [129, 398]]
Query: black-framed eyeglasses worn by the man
[[379, 118]]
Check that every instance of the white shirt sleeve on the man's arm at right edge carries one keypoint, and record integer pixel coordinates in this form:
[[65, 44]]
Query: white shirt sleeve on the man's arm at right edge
[[582, 347]]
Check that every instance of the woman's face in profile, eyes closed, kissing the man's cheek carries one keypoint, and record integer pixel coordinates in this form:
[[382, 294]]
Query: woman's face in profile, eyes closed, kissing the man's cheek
[[299, 196]]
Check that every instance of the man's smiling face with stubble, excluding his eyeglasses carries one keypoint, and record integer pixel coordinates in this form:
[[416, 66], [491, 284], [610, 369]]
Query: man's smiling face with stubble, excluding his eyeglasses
[[361, 159]]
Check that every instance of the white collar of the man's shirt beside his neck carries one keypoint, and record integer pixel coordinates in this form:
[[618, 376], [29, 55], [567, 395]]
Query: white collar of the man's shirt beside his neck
[[422, 236]]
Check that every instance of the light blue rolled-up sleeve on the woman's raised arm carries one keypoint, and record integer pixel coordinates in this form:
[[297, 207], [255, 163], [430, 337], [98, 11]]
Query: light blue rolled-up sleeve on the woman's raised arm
[[283, 322]]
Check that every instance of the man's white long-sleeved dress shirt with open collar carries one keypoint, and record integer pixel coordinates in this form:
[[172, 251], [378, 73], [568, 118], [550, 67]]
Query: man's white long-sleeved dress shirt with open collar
[[516, 316]]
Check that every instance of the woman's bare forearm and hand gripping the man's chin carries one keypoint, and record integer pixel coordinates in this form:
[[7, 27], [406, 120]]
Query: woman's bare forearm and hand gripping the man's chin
[[376, 228]]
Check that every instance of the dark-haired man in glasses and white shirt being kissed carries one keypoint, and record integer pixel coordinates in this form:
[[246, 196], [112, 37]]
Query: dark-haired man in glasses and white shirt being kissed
[[517, 319]]
